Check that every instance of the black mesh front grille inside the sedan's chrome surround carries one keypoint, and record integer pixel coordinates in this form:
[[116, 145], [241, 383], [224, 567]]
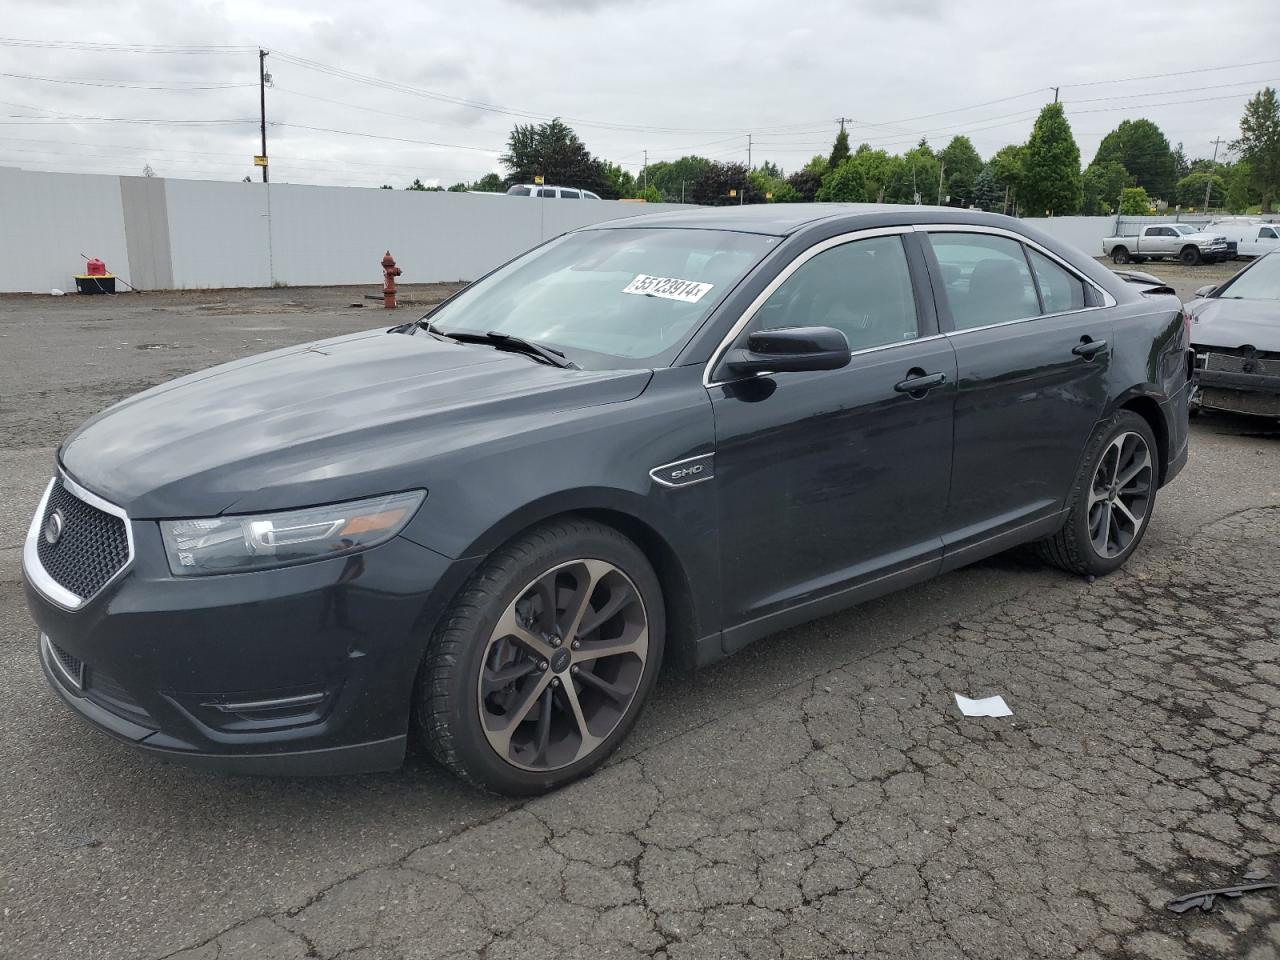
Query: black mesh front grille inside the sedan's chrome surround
[[92, 550]]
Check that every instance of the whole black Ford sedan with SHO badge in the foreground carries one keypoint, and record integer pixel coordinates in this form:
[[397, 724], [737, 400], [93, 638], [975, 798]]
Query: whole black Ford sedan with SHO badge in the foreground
[[655, 438]]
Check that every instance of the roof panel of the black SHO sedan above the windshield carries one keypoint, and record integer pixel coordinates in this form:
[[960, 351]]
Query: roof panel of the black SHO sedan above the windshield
[[785, 220]]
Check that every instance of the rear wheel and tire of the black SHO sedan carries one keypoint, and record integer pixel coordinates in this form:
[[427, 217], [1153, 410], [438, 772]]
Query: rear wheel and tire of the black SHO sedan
[[1082, 546]]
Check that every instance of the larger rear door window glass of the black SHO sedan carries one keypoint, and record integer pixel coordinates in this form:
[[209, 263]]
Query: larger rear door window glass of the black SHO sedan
[[986, 278]]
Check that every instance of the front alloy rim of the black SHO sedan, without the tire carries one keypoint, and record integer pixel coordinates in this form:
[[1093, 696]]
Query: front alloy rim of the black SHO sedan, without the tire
[[563, 666]]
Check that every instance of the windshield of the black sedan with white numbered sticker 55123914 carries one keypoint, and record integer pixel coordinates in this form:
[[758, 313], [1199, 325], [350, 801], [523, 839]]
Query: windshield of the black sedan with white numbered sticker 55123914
[[612, 298]]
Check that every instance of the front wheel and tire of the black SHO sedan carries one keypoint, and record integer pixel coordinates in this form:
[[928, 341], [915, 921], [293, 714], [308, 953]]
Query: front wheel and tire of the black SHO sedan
[[500, 657]]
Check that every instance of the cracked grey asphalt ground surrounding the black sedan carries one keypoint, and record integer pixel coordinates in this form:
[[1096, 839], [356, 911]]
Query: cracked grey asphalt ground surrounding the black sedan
[[817, 797]]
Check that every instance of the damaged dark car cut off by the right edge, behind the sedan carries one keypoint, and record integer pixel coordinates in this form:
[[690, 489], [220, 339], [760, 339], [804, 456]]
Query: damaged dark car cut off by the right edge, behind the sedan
[[1236, 333]]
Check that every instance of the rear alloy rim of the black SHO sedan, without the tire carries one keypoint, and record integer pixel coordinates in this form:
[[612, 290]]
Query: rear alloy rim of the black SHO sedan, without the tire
[[1121, 495]]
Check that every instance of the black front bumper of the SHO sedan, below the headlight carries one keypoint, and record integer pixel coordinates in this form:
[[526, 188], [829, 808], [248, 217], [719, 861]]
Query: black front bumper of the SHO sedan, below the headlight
[[294, 671]]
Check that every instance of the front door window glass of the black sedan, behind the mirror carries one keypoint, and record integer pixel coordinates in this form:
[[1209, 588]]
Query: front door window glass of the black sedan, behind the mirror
[[862, 289]]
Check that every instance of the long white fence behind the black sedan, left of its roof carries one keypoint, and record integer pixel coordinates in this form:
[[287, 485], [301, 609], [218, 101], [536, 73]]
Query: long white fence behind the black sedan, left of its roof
[[182, 235]]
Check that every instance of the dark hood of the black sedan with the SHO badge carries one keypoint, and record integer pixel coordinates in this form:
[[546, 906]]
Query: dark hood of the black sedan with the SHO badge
[[322, 423]]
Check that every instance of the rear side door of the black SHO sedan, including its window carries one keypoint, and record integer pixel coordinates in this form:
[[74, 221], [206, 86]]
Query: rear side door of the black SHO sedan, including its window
[[1031, 390]]
